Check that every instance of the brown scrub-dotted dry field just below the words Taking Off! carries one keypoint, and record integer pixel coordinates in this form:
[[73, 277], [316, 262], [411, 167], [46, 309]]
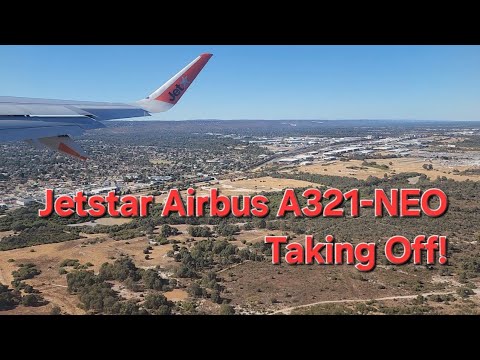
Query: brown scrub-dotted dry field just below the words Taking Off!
[[257, 286]]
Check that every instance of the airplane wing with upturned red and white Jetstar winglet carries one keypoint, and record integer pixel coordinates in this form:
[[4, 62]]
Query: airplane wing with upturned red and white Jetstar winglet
[[49, 123]]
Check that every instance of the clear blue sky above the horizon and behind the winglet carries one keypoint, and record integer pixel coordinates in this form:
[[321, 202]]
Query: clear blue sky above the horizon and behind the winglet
[[260, 82]]
